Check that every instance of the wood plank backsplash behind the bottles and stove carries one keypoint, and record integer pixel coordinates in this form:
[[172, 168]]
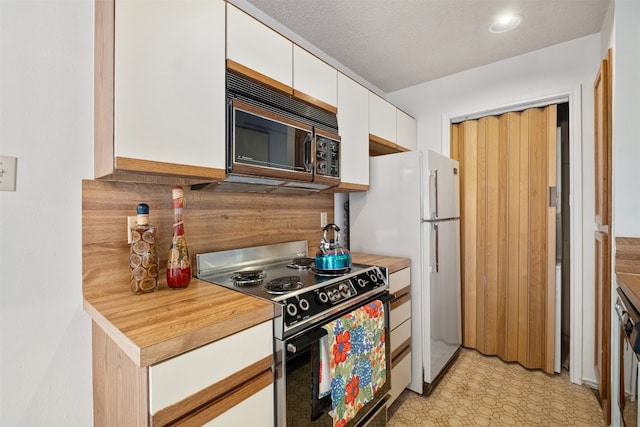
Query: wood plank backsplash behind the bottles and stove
[[213, 221]]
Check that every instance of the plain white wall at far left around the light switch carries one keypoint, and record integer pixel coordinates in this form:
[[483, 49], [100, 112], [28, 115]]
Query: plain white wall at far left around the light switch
[[46, 121]]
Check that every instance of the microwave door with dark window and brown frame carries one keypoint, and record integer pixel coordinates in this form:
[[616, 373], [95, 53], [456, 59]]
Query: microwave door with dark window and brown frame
[[265, 143]]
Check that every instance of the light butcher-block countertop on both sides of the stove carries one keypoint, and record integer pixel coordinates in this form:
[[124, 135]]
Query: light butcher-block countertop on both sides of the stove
[[154, 327]]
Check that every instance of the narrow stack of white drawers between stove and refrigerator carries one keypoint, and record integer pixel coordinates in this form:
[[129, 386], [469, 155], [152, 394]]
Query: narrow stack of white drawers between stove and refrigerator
[[400, 324]]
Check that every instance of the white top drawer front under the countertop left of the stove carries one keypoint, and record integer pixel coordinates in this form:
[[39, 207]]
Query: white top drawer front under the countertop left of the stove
[[175, 379]]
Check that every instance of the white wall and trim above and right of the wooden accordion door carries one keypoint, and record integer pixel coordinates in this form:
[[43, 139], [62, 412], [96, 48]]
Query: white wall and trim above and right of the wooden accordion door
[[512, 81]]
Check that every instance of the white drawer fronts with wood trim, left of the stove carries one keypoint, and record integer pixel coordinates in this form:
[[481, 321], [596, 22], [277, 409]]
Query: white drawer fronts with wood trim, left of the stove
[[206, 374]]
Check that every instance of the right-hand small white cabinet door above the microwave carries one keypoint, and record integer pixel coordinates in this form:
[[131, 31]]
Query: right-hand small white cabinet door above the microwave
[[314, 80]]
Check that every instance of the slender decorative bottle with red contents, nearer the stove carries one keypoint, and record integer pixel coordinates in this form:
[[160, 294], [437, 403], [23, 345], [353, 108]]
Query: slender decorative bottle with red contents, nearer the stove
[[178, 264]]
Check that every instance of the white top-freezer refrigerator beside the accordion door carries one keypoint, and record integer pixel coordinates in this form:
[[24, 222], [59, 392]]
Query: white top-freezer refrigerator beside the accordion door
[[412, 210]]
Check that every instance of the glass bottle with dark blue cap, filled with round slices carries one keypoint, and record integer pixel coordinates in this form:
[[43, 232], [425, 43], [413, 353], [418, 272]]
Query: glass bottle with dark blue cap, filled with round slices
[[143, 257]]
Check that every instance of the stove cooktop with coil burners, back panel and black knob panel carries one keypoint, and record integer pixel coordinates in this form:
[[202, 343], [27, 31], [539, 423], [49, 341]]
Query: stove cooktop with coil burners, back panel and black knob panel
[[302, 295]]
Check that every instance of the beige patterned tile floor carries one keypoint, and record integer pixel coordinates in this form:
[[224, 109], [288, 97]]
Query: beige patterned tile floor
[[482, 390]]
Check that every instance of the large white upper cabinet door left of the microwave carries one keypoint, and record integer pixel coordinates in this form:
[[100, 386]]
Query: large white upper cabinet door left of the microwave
[[169, 82]]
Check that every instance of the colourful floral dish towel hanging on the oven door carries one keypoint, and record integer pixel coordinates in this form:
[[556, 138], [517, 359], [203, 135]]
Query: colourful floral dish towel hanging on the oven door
[[357, 362]]
